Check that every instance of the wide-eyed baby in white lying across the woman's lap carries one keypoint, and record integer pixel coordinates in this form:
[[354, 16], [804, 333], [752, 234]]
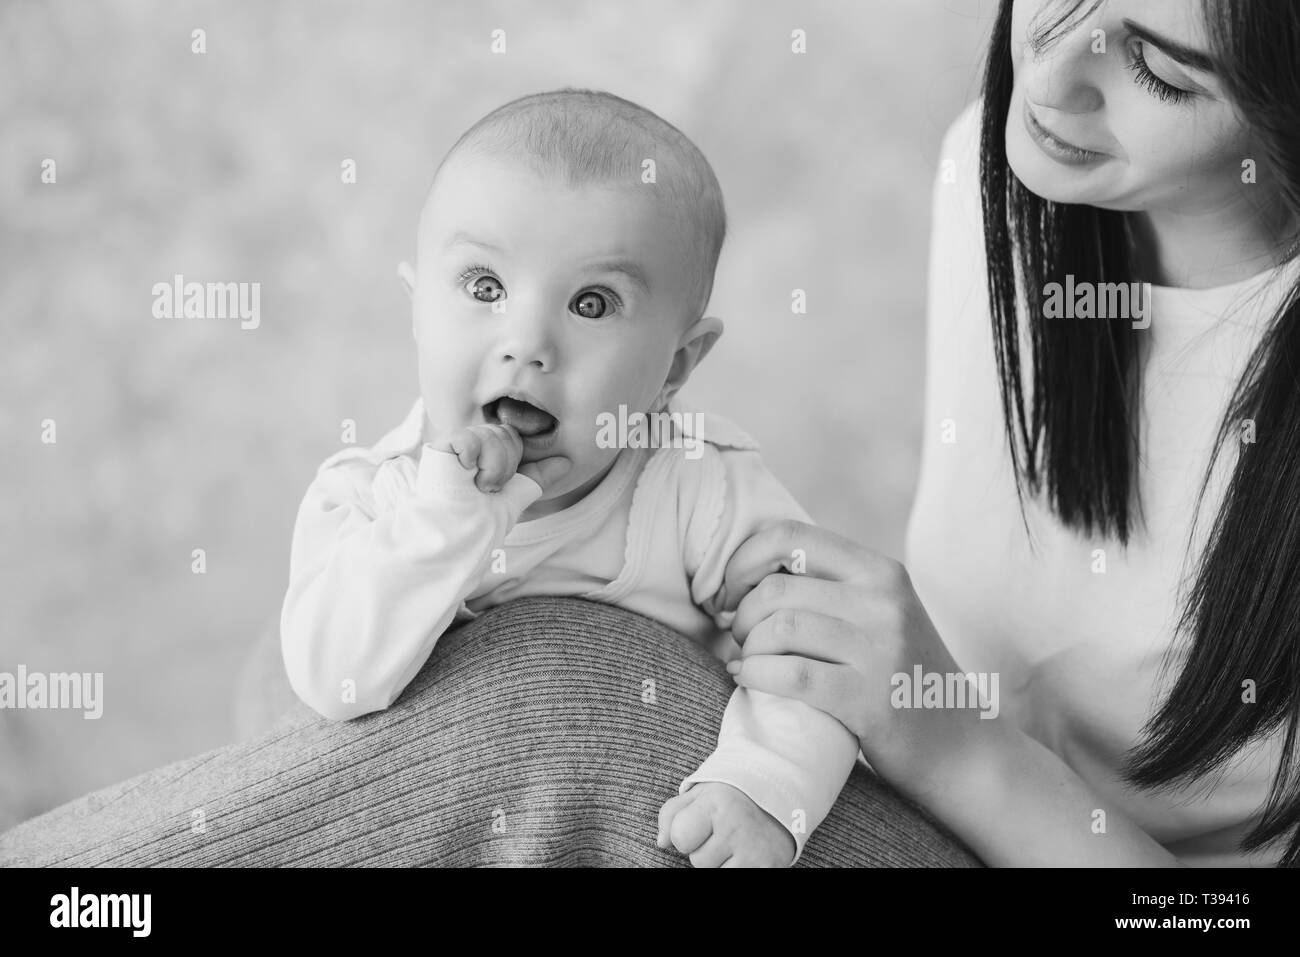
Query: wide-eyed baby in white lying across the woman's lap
[[566, 254]]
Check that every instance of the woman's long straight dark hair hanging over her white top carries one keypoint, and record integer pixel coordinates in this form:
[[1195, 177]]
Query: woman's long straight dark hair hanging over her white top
[[1074, 432]]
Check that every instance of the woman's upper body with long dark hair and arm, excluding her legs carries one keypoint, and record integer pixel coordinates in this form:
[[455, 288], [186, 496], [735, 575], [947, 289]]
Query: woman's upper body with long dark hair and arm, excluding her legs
[[1129, 561]]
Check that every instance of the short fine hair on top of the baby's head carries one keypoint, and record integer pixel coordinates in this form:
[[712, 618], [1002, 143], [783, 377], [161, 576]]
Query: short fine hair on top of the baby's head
[[593, 137]]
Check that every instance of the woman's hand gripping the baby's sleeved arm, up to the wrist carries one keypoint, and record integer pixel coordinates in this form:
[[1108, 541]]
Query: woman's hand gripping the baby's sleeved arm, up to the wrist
[[829, 622]]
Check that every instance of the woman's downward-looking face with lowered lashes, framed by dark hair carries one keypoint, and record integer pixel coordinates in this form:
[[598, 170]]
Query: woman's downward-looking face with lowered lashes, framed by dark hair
[[1124, 111]]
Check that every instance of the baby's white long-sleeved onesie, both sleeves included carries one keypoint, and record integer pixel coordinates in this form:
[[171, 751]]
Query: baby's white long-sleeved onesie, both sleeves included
[[395, 543]]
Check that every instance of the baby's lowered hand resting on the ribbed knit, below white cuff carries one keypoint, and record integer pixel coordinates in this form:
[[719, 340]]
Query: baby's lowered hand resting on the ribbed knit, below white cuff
[[720, 826]]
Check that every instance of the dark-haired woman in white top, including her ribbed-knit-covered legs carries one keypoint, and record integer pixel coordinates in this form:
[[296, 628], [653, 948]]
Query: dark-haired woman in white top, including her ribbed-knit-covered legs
[[1107, 523]]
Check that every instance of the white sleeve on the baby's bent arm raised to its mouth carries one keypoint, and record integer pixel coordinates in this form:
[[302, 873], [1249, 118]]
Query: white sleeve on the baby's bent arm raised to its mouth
[[382, 560]]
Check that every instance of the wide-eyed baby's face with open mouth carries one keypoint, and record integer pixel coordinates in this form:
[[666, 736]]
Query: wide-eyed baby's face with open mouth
[[543, 306]]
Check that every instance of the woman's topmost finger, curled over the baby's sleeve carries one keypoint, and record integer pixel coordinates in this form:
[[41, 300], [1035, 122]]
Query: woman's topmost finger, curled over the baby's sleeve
[[803, 549]]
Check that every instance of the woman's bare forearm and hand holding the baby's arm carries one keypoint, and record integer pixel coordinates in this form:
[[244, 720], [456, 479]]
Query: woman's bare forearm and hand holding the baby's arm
[[835, 638]]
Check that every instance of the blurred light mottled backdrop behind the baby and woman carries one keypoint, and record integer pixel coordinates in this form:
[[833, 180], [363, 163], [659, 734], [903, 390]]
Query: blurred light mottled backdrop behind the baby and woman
[[179, 435]]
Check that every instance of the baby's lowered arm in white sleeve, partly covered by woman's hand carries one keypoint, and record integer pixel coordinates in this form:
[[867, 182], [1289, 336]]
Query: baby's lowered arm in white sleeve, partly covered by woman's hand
[[790, 759]]
